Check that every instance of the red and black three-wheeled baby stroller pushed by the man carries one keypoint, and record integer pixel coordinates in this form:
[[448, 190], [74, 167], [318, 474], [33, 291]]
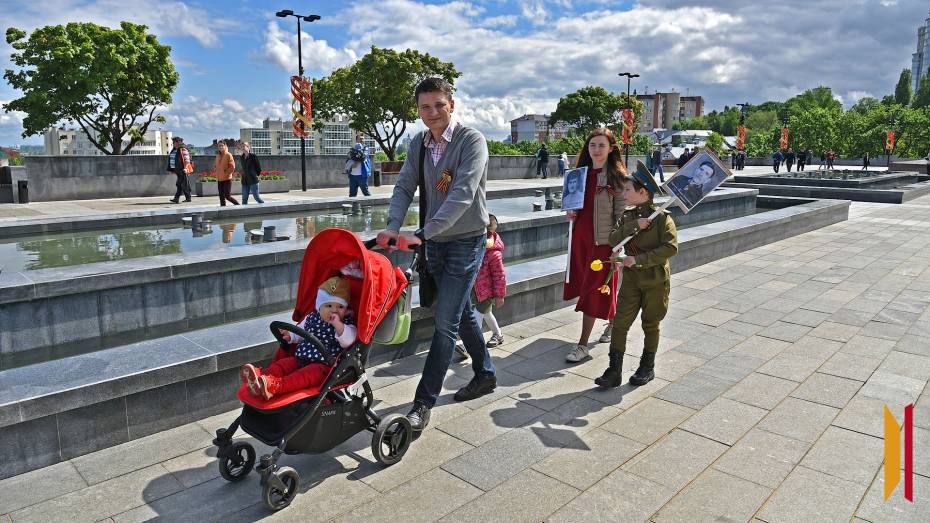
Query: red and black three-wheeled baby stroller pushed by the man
[[317, 419]]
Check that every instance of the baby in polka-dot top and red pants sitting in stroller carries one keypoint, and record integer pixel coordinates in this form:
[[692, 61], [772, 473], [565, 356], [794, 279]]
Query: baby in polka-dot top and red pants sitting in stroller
[[331, 323]]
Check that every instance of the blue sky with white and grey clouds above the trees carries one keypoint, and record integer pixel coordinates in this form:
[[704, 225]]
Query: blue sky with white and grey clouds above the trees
[[516, 56]]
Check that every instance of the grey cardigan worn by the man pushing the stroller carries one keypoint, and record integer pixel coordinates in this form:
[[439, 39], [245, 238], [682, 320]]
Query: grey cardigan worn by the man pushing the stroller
[[460, 212]]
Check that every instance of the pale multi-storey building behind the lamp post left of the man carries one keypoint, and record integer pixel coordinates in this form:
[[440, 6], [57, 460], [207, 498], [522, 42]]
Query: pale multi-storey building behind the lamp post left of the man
[[277, 137]]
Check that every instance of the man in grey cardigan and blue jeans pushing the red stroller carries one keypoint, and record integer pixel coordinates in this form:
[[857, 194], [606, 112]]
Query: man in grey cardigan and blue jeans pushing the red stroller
[[452, 162]]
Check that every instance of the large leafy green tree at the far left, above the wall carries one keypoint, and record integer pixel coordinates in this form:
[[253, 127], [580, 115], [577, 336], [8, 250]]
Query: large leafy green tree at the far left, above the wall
[[108, 81]]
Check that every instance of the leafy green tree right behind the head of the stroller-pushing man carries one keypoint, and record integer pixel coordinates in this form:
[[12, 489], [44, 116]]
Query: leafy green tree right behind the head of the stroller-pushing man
[[376, 93]]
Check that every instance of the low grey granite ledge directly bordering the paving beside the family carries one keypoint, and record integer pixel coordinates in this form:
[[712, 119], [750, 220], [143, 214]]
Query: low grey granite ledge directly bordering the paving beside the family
[[126, 392]]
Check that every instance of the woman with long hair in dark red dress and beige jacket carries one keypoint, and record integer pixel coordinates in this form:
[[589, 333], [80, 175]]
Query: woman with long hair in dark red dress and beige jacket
[[603, 206]]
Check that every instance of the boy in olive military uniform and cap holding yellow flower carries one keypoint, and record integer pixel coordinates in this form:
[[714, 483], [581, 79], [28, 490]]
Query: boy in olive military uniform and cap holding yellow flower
[[645, 284]]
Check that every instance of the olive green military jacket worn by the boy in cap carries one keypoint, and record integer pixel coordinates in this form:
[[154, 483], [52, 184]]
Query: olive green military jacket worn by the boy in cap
[[651, 247]]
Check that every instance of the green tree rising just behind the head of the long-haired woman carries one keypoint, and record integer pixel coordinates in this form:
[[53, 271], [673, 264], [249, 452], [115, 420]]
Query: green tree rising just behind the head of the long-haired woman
[[589, 108]]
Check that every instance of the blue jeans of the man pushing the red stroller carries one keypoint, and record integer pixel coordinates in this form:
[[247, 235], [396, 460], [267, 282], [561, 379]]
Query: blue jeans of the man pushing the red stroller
[[455, 266]]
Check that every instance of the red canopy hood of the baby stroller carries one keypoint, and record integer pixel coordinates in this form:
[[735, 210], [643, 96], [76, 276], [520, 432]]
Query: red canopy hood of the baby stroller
[[372, 298]]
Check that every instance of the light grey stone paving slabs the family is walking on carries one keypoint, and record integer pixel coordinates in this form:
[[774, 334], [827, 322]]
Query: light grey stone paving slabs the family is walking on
[[773, 370]]
